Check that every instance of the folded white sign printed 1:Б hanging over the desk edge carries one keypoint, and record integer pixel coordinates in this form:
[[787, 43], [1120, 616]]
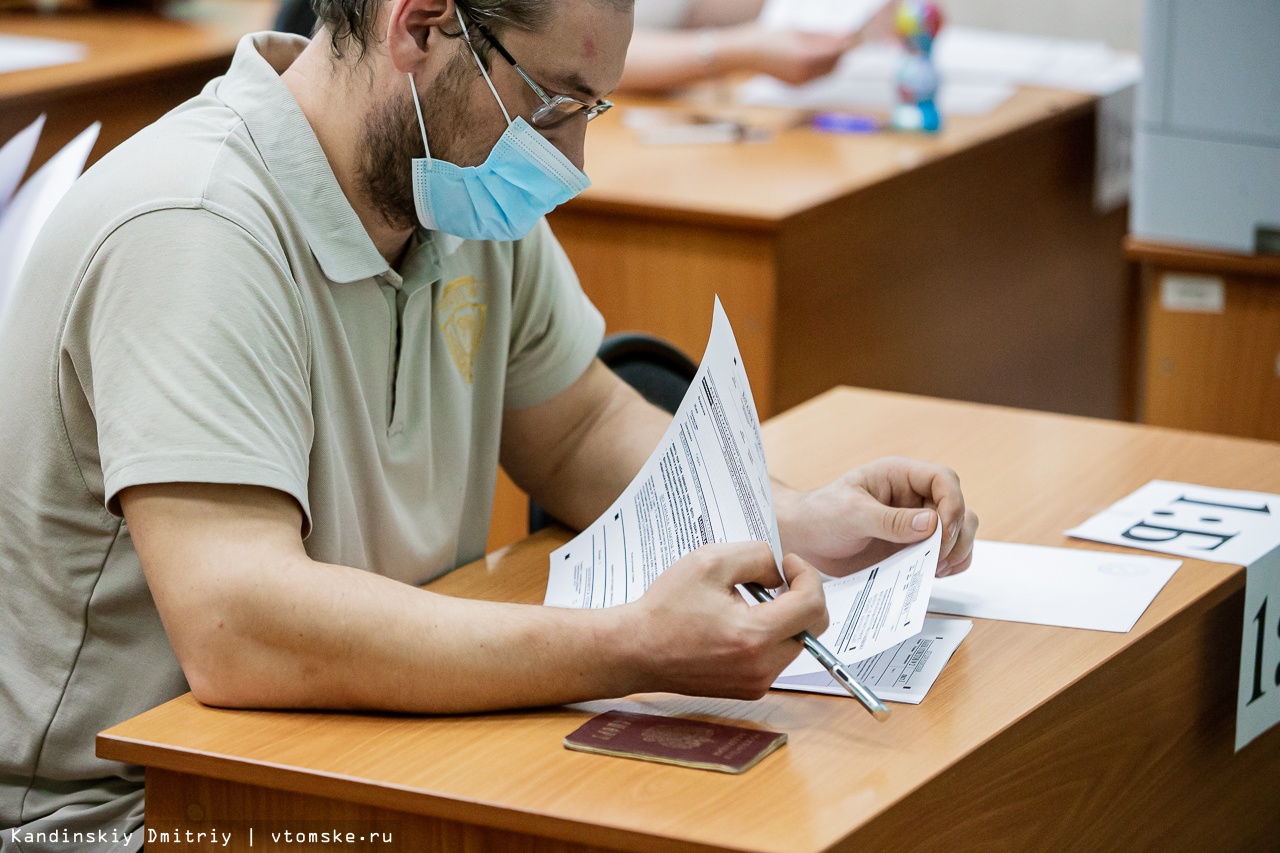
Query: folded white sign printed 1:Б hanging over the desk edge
[[1222, 526]]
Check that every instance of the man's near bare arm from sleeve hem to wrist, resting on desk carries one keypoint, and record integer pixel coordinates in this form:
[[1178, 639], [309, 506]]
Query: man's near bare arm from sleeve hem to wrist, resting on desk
[[257, 623]]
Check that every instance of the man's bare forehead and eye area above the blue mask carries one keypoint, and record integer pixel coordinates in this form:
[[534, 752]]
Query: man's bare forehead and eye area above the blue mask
[[582, 51]]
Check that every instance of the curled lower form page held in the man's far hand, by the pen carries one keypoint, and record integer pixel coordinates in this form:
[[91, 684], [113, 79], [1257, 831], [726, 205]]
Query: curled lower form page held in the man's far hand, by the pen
[[877, 608]]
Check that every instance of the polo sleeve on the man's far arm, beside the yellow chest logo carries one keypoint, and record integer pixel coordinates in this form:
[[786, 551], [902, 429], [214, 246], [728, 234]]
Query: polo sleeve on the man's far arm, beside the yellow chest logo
[[556, 331]]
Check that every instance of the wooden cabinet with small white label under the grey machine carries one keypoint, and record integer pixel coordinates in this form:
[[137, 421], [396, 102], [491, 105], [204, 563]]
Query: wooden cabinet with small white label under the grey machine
[[1210, 367]]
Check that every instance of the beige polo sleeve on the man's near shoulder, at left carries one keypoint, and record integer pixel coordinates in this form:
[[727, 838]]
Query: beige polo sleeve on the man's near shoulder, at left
[[191, 345]]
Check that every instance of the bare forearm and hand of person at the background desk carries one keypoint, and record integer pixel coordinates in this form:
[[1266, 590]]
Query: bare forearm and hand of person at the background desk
[[723, 38]]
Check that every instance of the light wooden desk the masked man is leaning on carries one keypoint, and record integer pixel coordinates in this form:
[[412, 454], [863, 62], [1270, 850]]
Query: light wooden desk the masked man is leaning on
[[1034, 737]]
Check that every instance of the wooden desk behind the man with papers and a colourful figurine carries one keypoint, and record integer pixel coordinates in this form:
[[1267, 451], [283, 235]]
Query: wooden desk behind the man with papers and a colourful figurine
[[970, 267]]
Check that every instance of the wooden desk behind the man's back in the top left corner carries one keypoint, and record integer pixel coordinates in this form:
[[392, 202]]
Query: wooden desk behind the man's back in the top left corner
[[139, 67]]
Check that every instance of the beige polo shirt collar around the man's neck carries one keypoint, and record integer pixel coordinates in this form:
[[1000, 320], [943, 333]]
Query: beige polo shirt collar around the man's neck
[[292, 154]]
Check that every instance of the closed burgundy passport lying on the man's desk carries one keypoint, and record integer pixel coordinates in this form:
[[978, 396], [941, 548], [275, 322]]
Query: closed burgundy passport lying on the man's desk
[[673, 741]]
